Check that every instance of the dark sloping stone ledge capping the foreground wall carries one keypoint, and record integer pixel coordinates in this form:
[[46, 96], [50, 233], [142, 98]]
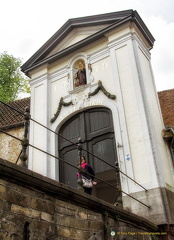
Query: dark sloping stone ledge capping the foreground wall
[[25, 177]]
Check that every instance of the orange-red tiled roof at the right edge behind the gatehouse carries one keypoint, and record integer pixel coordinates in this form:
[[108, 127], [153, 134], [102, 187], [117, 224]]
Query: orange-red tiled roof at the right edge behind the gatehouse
[[166, 99]]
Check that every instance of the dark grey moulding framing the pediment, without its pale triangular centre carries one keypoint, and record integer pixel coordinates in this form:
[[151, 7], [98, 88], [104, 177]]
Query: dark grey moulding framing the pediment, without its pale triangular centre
[[114, 19]]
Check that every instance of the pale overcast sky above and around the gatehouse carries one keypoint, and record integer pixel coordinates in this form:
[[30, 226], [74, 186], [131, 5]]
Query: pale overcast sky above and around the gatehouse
[[27, 25]]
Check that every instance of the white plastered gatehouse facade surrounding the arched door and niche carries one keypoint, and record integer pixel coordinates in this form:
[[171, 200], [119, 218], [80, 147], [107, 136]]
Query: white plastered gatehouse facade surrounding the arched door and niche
[[122, 61]]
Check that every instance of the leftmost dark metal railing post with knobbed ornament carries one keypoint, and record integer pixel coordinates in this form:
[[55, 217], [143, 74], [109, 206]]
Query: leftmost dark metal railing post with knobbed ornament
[[25, 141]]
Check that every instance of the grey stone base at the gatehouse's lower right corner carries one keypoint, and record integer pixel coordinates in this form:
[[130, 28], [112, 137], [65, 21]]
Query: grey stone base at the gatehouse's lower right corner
[[161, 204]]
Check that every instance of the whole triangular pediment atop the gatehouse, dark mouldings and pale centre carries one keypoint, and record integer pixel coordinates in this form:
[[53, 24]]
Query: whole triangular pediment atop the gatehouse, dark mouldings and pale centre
[[78, 32]]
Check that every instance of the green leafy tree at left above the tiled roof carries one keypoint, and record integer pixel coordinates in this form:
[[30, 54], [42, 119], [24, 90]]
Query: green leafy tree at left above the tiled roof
[[12, 80]]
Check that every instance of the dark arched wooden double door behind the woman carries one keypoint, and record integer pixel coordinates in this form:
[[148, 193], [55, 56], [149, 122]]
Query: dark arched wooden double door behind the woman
[[95, 127]]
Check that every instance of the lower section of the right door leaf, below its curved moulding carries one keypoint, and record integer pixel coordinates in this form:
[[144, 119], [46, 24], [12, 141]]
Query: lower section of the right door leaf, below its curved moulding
[[104, 147]]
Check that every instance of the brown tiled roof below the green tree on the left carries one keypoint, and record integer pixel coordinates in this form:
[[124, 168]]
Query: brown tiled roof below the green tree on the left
[[9, 118]]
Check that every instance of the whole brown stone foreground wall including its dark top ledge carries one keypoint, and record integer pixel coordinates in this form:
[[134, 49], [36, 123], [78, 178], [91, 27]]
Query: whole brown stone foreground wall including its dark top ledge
[[33, 207]]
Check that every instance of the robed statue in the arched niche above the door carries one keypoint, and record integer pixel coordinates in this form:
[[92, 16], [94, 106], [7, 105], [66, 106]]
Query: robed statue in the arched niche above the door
[[80, 75]]
